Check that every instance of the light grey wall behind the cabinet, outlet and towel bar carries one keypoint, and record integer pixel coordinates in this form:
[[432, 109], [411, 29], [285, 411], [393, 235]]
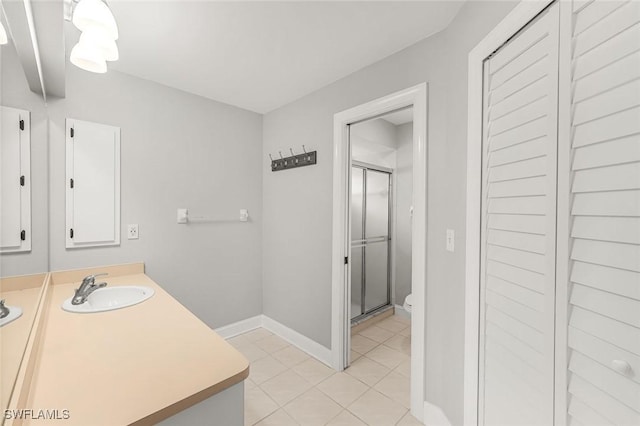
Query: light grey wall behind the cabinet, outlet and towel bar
[[178, 150]]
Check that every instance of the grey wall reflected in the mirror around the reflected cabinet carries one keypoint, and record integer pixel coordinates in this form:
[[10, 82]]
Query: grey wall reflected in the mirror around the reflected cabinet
[[14, 92]]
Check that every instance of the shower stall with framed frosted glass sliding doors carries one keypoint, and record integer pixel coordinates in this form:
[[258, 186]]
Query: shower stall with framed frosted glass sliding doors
[[370, 239]]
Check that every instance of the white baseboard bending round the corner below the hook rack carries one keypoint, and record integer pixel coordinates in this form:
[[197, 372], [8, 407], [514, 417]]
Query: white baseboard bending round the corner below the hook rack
[[302, 342]]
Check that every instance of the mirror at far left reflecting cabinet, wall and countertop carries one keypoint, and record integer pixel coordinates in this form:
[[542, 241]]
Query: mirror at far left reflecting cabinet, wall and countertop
[[22, 268]]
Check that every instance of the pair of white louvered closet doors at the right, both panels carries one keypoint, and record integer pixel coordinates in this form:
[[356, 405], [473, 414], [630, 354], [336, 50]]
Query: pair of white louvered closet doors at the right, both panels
[[560, 225]]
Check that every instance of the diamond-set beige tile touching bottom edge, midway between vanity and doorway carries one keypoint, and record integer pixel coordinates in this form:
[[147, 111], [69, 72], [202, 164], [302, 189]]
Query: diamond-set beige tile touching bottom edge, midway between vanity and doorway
[[312, 408]]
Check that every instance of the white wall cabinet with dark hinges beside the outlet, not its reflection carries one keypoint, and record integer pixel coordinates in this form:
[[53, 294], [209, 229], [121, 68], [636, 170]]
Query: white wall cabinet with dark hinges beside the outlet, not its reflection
[[93, 184]]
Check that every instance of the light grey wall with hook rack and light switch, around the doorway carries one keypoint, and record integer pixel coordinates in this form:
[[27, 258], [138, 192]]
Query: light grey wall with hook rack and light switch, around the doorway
[[297, 203]]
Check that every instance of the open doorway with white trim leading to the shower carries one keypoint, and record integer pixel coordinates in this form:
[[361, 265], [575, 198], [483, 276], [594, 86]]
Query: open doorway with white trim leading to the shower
[[371, 279]]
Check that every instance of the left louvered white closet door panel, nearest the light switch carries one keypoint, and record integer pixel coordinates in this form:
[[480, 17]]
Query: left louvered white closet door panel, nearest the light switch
[[518, 227]]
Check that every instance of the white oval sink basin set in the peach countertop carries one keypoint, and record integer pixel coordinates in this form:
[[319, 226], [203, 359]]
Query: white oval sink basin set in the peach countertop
[[110, 298]]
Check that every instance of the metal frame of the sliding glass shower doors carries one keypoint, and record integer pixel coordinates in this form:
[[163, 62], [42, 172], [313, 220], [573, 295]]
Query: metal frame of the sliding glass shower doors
[[364, 240]]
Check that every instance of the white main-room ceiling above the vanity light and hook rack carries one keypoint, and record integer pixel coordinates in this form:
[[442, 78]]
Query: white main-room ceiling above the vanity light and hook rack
[[262, 55]]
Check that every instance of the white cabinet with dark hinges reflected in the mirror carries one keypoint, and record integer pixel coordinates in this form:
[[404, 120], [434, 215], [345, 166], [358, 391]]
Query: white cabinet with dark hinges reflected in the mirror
[[15, 180]]
